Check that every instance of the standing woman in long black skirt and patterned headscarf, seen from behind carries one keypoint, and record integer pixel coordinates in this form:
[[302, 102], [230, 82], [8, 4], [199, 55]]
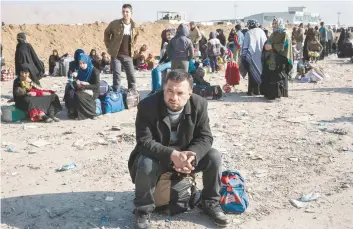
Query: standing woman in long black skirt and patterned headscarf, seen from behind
[[277, 62]]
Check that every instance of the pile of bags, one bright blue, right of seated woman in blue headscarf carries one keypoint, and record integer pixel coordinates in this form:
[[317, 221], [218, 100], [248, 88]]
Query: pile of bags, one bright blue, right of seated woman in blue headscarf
[[112, 102]]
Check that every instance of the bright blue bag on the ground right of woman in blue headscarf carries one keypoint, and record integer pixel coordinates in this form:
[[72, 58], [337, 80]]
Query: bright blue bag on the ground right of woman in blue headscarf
[[113, 102]]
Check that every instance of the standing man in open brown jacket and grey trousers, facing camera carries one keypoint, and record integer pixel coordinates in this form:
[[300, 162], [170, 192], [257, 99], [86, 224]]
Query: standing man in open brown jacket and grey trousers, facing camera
[[120, 38]]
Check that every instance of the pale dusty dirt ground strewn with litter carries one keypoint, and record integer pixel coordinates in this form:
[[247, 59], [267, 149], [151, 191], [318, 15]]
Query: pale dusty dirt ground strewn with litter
[[279, 147]]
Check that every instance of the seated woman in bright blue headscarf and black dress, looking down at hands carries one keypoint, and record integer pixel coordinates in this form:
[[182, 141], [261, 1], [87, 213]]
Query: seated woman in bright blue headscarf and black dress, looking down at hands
[[80, 97]]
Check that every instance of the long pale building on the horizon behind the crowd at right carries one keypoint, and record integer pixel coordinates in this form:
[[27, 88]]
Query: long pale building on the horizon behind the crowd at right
[[294, 16]]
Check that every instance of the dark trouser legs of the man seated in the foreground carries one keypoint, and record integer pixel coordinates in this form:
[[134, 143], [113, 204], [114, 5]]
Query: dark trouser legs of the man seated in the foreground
[[147, 171]]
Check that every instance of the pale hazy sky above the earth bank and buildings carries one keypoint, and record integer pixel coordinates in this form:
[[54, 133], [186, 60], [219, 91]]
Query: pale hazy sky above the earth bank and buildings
[[72, 12]]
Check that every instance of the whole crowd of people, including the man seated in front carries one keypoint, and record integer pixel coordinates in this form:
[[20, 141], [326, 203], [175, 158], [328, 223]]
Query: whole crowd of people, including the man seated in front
[[172, 125]]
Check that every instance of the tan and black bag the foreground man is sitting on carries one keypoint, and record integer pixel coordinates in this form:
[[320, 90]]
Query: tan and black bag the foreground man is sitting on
[[175, 193]]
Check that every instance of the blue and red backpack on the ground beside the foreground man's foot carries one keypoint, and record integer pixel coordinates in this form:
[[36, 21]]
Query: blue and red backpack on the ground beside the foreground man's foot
[[233, 195]]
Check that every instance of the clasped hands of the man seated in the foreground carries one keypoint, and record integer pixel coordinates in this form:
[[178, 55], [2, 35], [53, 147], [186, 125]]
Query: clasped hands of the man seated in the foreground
[[183, 161]]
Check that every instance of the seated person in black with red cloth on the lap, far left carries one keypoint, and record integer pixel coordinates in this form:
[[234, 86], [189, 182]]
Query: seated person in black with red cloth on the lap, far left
[[41, 105]]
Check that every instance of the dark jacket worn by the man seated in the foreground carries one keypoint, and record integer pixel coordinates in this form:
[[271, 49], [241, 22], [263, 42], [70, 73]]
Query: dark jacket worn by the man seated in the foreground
[[153, 129]]
